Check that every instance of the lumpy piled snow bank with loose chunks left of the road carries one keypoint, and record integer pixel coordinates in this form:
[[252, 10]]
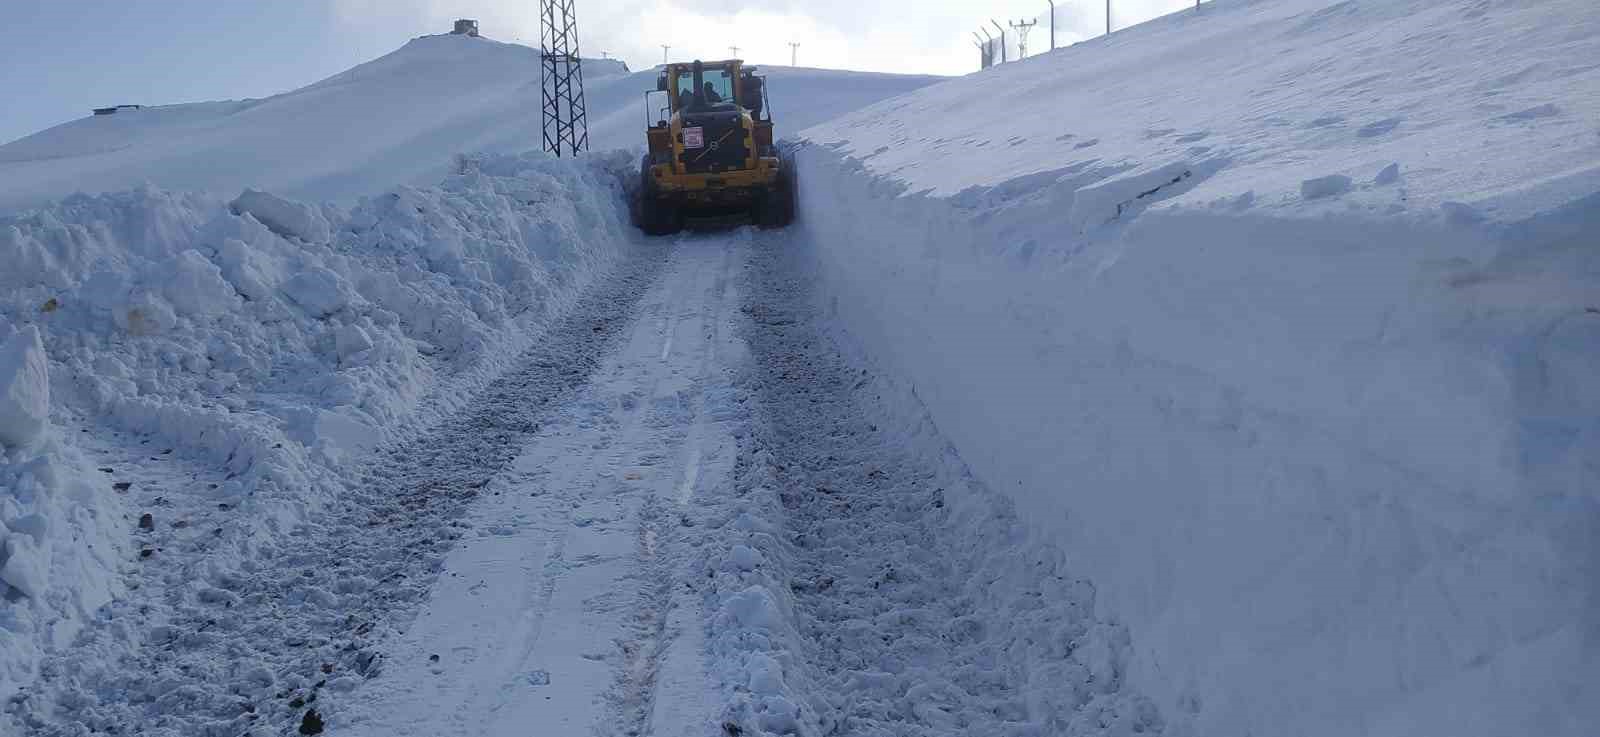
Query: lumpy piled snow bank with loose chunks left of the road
[[268, 338]]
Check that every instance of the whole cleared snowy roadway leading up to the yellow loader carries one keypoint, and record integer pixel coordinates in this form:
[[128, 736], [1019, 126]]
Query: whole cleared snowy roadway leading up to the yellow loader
[[686, 514]]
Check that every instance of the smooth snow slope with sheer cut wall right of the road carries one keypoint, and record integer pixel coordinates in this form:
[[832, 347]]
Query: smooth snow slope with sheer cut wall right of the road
[[1284, 321]]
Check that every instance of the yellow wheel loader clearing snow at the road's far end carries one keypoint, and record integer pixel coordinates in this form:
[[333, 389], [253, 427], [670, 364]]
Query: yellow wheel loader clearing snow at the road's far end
[[711, 151]]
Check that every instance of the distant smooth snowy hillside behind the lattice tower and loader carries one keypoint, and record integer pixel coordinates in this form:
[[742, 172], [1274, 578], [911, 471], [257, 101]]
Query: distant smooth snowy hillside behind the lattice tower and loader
[[394, 121]]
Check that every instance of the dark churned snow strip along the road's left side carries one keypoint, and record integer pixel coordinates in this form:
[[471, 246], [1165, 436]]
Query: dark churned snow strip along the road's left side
[[254, 651]]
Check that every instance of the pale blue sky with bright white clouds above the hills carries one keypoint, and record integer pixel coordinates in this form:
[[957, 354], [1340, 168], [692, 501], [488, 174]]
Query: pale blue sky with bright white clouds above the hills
[[62, 58]]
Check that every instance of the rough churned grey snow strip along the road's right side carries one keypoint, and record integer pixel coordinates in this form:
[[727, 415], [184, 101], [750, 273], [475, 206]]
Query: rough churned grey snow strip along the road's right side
[[882, 591]]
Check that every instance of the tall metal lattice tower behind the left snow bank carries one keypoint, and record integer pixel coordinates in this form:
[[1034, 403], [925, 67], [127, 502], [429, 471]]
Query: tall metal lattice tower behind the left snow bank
[[562, 79]]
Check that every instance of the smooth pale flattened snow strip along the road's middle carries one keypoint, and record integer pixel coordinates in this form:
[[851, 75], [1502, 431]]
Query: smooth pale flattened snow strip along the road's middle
[[574, 501]]
